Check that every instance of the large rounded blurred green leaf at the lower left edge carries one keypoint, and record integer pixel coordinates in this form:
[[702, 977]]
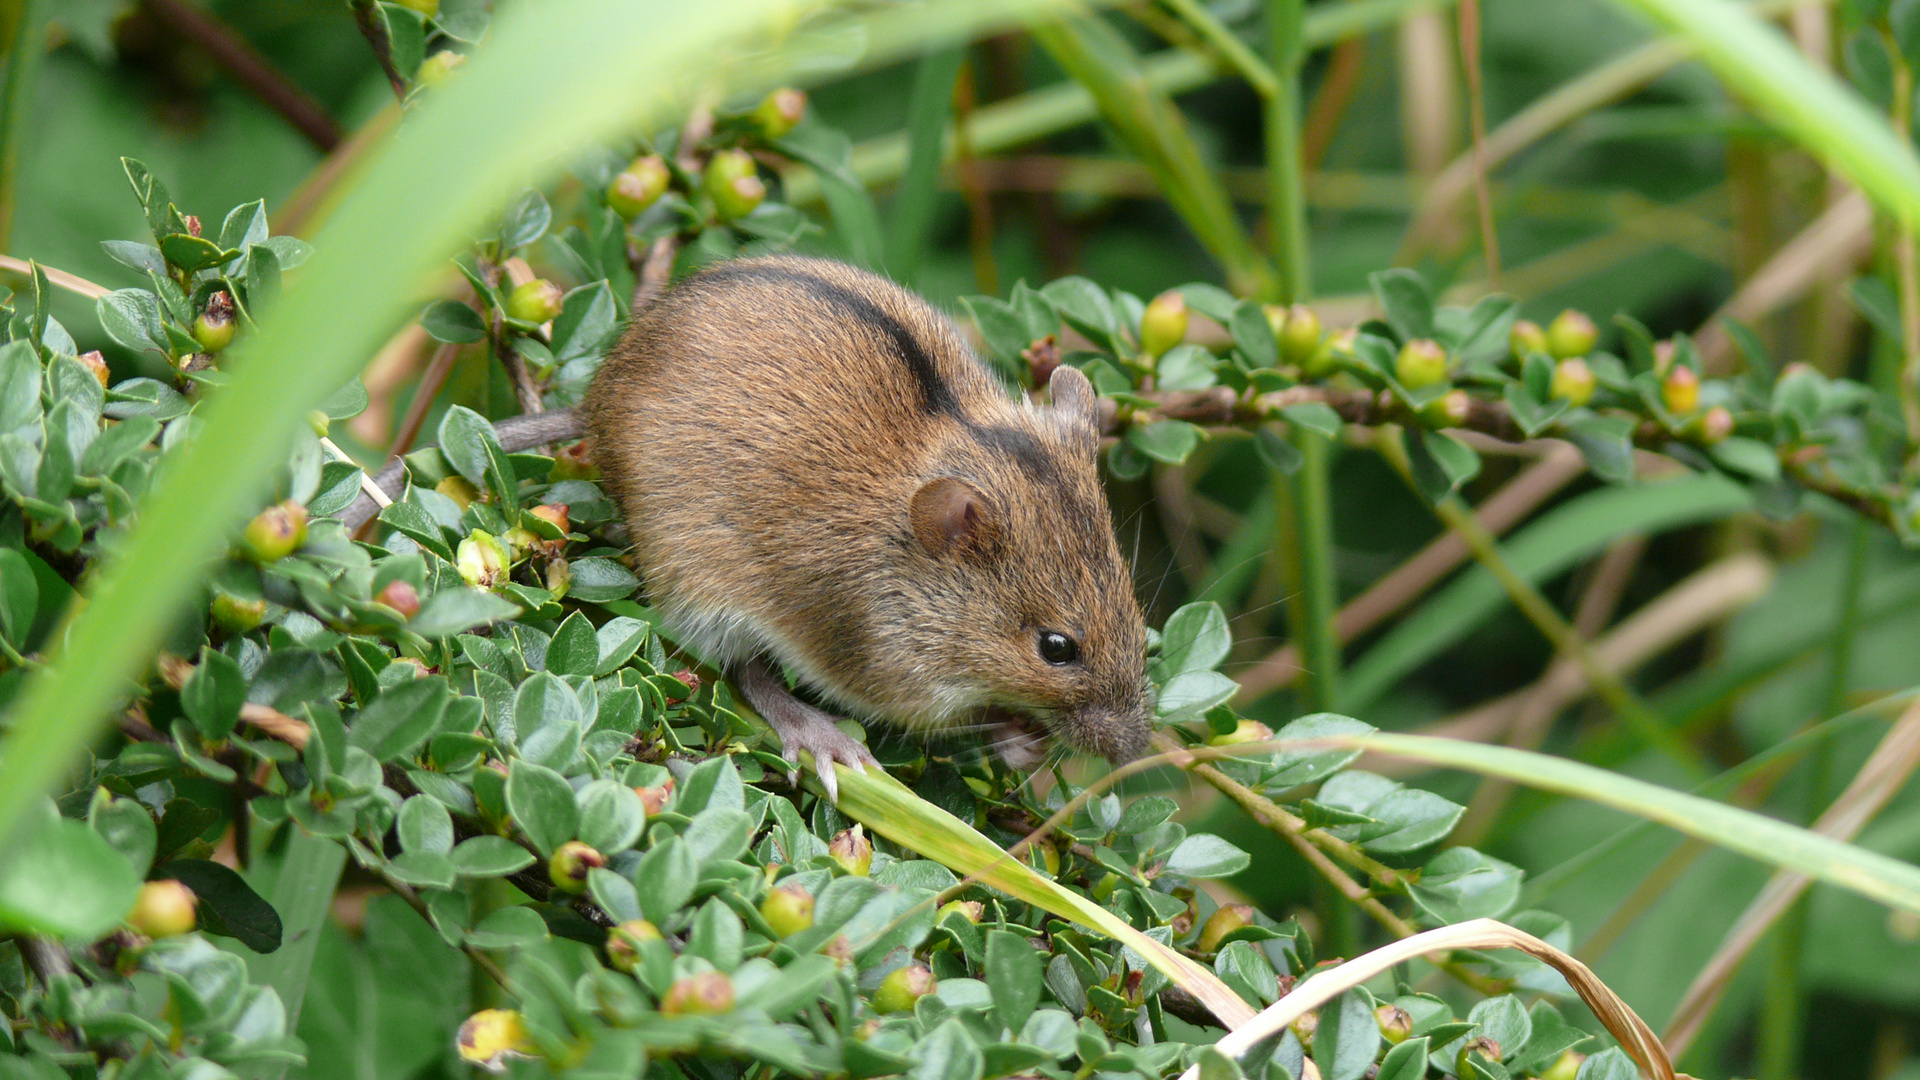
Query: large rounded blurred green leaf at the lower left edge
[[64, 881]]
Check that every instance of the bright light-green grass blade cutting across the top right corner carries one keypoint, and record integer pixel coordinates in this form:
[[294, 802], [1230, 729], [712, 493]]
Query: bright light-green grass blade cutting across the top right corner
[[1812, 107]]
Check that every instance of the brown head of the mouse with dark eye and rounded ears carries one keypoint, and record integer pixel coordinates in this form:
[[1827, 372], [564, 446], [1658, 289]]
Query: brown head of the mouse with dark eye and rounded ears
[[1038, 604]]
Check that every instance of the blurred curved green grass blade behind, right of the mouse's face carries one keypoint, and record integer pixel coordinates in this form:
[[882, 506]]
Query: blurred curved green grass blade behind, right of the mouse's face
[[1548, 547]]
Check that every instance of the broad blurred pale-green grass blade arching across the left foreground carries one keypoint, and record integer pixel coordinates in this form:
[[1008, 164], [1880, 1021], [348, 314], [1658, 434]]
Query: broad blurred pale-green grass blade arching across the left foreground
[[435, 187]]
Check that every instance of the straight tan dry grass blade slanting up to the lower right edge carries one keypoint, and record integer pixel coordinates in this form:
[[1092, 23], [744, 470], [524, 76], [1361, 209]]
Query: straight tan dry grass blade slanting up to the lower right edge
[[1881, 779]]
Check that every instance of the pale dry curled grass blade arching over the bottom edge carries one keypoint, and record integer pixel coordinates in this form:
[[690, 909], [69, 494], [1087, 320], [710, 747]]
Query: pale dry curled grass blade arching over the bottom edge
[[1635, 1037]]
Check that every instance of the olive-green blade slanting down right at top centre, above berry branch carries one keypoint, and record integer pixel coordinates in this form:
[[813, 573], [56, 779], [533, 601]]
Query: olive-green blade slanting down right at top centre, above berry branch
[[1093, 53]]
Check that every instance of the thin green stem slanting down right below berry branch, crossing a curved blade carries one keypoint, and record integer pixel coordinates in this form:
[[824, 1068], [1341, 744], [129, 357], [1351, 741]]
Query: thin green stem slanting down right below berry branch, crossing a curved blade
[[1625, 704]]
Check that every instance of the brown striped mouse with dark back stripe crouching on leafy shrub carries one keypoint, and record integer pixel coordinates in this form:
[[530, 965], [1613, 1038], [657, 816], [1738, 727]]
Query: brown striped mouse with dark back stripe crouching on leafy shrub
[[823, 483]]
